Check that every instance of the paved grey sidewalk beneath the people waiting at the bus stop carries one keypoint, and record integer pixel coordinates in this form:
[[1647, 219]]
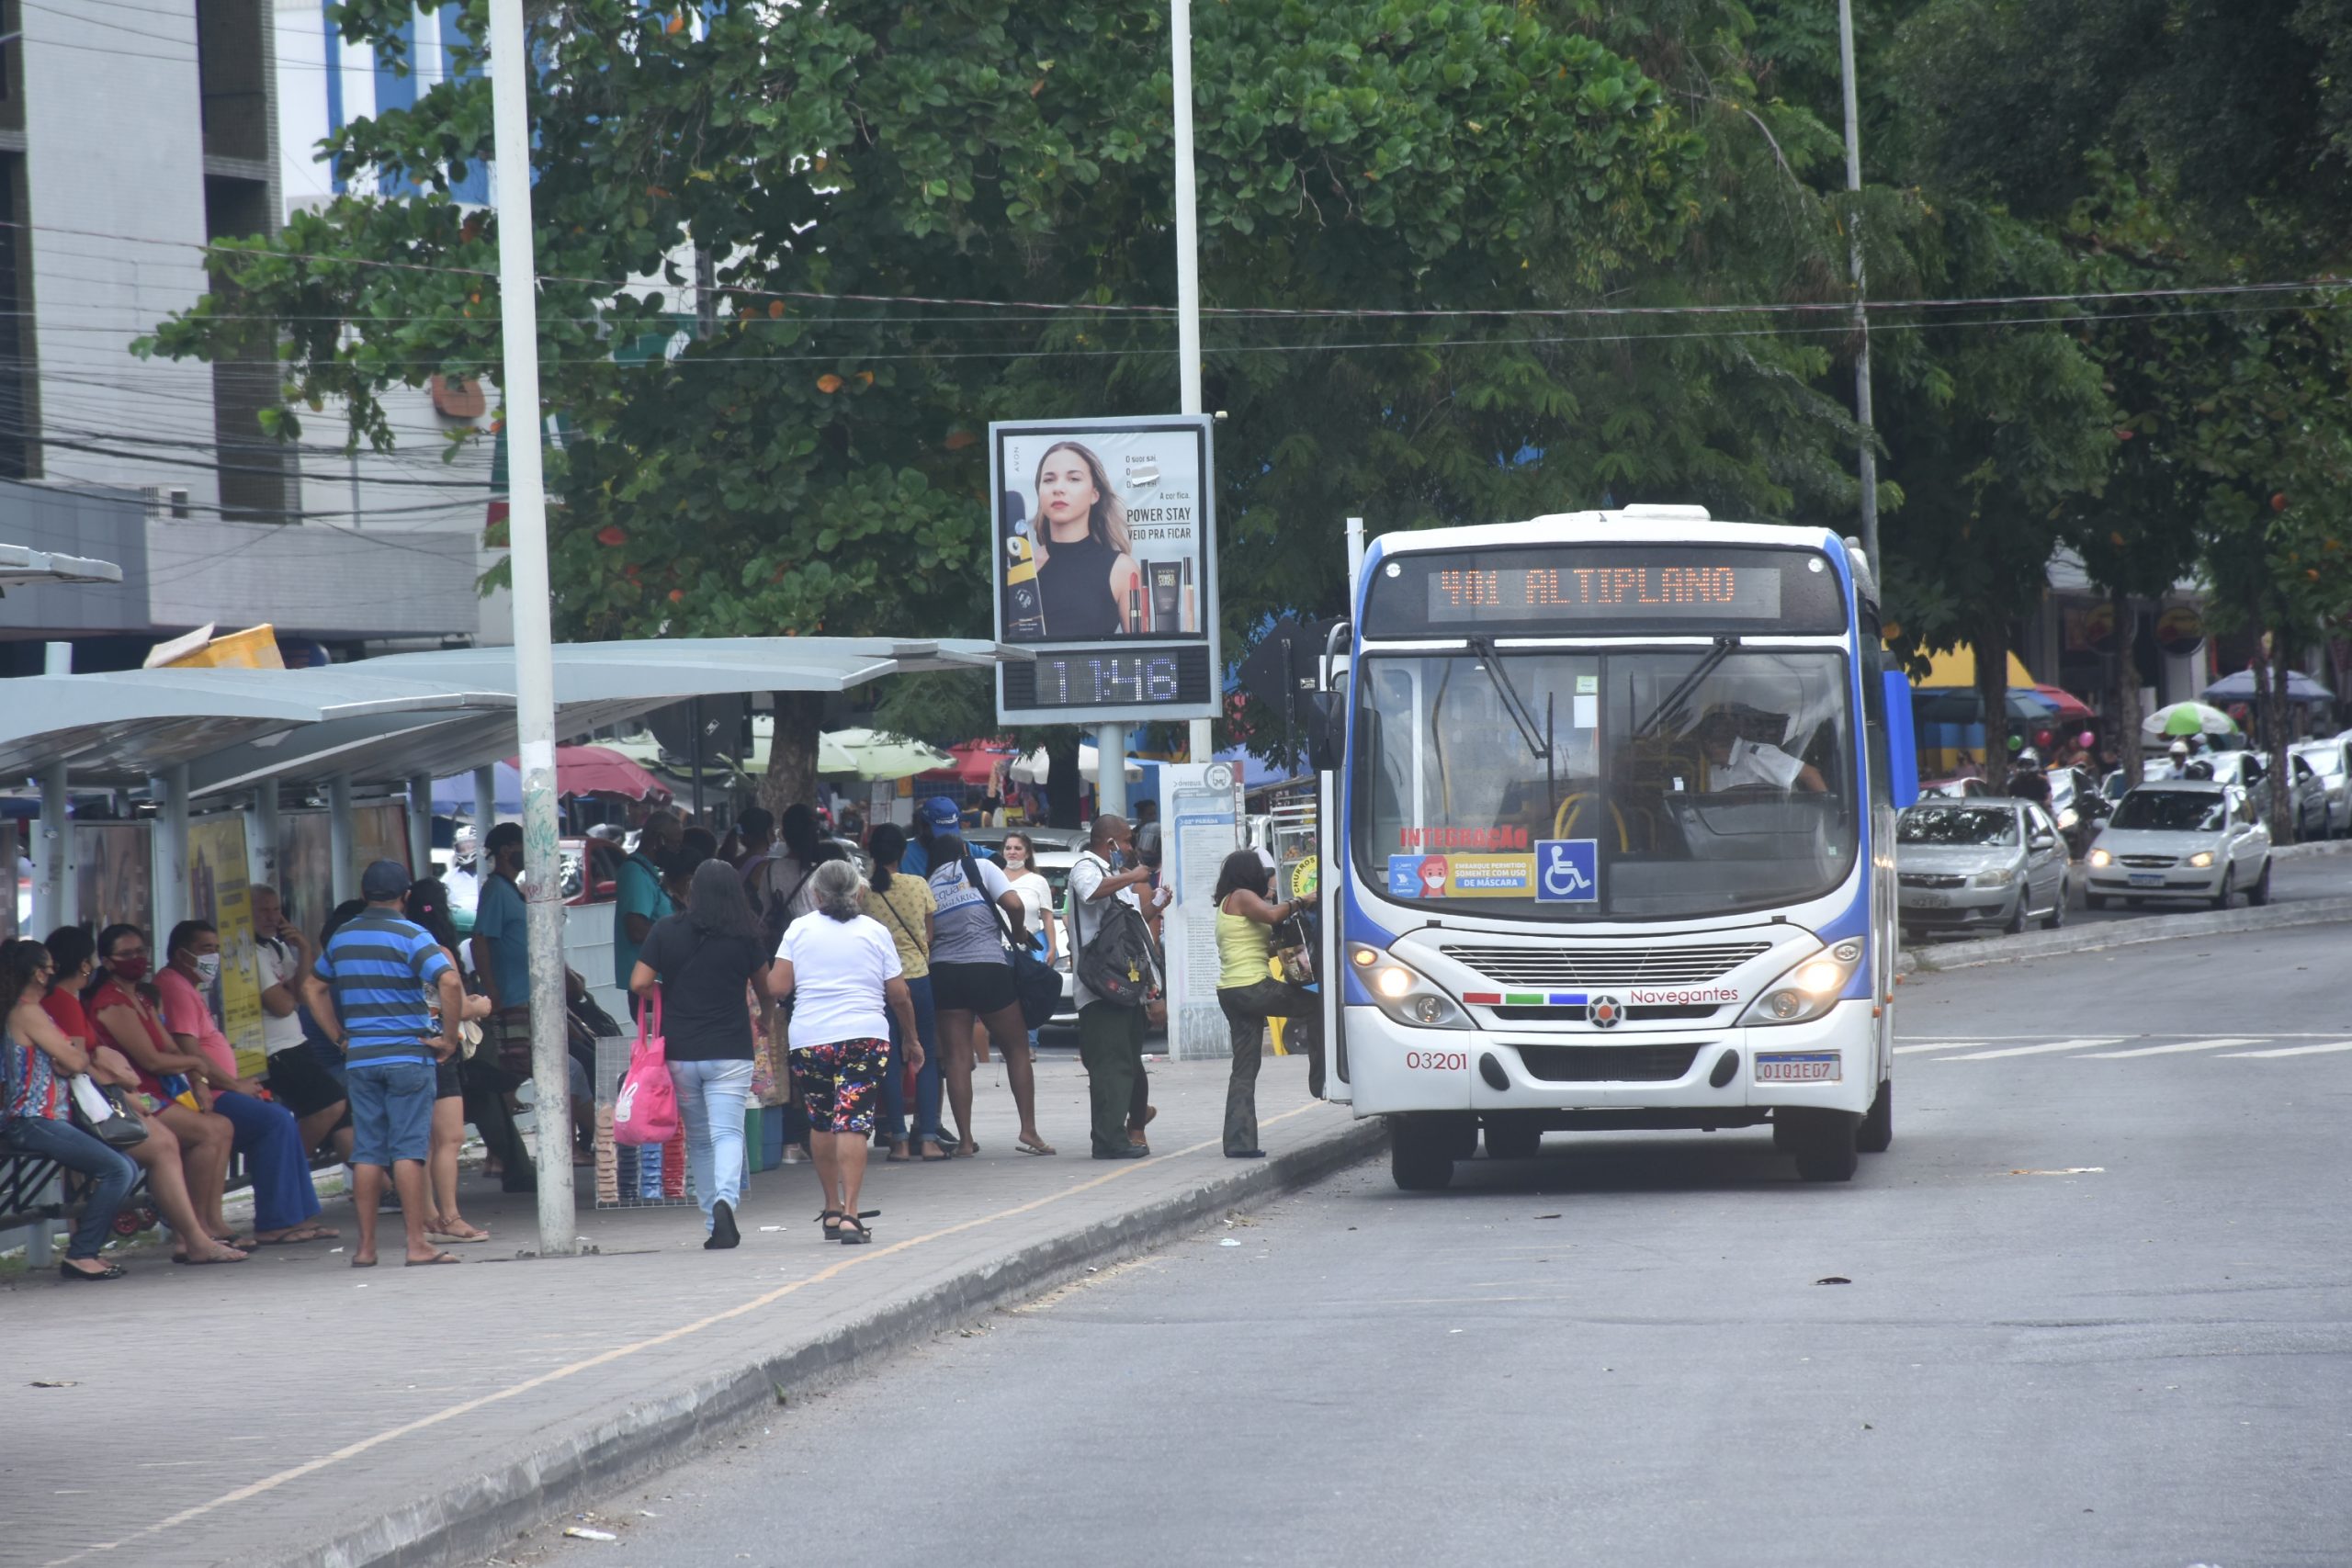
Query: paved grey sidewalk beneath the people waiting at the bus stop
[[298, 1412]]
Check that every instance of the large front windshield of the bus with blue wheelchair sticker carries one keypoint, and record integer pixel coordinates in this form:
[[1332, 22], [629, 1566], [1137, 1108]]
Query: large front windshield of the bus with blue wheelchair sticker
[[1605, 784]]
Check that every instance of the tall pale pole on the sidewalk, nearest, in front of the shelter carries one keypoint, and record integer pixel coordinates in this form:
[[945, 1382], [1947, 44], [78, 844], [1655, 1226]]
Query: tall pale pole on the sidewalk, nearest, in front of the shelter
[[535, 652]]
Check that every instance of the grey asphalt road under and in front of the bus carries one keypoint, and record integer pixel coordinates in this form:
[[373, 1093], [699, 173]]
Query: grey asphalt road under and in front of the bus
[[2087, 1311]]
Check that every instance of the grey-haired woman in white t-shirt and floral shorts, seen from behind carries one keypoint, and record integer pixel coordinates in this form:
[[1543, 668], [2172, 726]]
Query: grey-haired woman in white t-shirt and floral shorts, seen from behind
[[841, 967]]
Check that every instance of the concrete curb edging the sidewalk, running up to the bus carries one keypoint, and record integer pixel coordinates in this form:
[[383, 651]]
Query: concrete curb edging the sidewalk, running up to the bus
[[481, 1515]]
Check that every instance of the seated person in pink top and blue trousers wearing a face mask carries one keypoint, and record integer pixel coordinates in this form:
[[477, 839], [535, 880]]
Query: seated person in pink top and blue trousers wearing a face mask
[[267, 1134]]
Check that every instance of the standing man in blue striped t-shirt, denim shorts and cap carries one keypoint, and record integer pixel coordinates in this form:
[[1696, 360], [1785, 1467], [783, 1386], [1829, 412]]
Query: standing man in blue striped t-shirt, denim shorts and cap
[[370, 993]]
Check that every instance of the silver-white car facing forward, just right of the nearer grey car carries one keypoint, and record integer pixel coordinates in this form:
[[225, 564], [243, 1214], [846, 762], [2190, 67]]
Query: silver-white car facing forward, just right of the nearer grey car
[[2181, 840]]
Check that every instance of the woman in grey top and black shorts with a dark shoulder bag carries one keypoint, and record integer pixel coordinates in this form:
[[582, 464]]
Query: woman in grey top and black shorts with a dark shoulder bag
[[973, 981]]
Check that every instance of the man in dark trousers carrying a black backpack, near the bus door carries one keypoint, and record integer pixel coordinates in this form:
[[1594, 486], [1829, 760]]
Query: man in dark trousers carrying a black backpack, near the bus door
[[1114, 974]]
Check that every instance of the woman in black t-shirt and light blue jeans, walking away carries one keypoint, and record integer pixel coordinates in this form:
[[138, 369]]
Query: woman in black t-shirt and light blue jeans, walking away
[[700, 965]]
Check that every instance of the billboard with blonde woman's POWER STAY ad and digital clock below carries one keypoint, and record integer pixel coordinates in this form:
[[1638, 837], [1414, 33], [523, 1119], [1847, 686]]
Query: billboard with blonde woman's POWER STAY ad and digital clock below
[[1107, 556]]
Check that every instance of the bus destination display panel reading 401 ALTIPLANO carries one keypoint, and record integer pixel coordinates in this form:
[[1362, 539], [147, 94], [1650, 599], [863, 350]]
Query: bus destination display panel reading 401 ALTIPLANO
[[1568, 591]]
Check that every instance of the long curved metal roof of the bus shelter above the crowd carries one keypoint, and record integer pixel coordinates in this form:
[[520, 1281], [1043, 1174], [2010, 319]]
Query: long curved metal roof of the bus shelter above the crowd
[[389, 721]]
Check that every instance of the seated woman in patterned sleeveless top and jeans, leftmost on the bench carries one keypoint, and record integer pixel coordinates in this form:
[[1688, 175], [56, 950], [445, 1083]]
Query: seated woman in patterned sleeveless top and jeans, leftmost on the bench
[[34, 1113]]
